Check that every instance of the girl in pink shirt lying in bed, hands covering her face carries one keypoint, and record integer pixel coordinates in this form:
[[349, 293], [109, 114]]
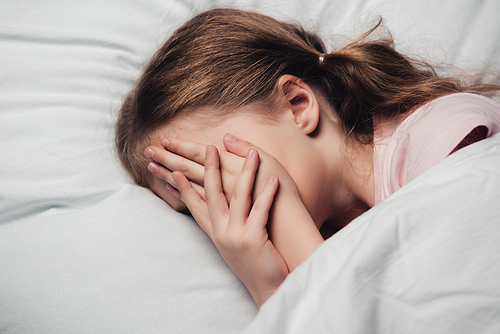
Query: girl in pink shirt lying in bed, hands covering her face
[[332, 134]]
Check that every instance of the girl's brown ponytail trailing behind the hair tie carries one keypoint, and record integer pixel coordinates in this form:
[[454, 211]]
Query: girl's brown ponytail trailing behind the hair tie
[[366, 78]]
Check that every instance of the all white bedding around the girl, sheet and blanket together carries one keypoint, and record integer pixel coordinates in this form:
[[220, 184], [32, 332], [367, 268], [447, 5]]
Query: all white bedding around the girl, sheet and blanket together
[[84, 251]]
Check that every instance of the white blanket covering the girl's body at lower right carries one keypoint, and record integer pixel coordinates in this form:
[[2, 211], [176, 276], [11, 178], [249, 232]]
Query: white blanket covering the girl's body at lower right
[[426, 260]]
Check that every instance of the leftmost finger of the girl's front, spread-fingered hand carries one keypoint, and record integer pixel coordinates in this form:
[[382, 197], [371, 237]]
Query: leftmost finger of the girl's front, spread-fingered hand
[[196, 205]]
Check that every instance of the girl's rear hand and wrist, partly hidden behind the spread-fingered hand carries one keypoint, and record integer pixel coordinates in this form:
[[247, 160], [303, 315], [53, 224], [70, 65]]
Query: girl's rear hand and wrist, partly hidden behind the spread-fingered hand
[[291, 228]]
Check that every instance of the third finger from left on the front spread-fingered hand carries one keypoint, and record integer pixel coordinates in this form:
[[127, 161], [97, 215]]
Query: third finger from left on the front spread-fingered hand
[[241, 200]]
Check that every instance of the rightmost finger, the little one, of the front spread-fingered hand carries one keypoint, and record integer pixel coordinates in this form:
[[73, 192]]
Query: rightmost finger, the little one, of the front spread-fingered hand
[[259, 214]]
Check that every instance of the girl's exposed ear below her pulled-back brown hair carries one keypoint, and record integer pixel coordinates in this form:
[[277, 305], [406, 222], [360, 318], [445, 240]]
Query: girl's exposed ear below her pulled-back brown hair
[[301, 100]]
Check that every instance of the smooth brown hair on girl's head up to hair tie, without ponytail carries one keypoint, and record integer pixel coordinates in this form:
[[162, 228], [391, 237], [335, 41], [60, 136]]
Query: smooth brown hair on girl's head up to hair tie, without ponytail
[[222, 59]]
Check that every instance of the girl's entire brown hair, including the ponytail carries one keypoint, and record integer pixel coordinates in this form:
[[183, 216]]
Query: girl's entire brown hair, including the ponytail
[[228, 58]]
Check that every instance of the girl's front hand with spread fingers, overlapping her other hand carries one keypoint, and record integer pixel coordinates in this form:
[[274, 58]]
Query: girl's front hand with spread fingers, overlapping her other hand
[[238, 231]]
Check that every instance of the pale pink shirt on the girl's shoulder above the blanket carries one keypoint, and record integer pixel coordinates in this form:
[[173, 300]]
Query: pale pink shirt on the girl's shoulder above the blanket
[[427, 136]]
